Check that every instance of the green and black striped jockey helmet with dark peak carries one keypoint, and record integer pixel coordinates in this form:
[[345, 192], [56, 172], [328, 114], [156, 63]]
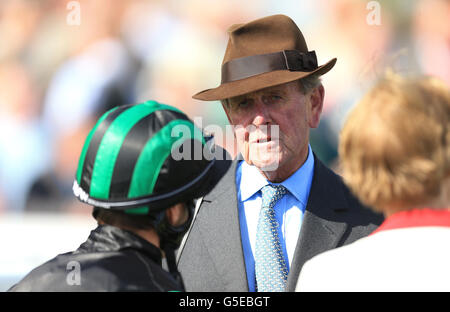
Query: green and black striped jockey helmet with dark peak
[[127, 160]]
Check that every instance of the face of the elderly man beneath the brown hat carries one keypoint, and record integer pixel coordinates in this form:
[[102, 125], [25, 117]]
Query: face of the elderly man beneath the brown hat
[[272, 127]]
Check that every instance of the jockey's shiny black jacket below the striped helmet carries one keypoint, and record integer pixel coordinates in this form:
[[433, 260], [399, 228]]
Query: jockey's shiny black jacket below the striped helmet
[[111, 259]]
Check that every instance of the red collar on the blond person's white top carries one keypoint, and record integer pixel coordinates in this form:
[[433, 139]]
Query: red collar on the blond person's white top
[[415, 218]]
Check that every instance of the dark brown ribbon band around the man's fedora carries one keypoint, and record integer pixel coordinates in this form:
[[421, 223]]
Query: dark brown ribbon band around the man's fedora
[[292, 60]]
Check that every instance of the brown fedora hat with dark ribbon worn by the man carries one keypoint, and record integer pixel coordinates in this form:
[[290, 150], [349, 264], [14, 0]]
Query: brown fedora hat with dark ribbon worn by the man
[[265, 52]]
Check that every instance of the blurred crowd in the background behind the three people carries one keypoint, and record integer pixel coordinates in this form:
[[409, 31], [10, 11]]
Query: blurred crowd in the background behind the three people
[[59, 72]]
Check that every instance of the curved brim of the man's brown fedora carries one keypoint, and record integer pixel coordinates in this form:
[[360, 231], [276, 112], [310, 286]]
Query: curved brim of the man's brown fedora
[[258, 82]]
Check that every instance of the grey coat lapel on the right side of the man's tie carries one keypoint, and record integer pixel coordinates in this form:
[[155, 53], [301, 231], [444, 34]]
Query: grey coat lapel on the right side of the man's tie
[[322, 225]]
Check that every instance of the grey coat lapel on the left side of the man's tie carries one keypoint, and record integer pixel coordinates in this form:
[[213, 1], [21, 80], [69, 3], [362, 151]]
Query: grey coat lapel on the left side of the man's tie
[[222, 234]]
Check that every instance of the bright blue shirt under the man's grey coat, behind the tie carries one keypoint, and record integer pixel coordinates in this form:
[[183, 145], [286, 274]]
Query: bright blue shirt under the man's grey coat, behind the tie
[[289, 209]]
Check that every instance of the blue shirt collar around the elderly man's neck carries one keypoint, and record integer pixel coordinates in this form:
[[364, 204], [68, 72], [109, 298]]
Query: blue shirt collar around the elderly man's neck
[[297, 183]]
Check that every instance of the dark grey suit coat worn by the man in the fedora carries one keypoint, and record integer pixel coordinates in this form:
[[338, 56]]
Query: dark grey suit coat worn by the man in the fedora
[[212, 257]]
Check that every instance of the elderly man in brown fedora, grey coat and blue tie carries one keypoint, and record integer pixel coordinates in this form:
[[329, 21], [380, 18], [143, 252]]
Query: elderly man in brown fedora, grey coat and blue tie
[[280, 206]]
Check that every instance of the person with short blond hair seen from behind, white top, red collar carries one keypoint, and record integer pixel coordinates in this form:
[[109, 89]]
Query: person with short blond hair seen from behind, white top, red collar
[[395, 156]]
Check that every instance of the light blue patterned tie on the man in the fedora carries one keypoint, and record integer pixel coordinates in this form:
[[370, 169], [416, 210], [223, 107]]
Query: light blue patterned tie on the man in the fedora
[[270, 265]]
